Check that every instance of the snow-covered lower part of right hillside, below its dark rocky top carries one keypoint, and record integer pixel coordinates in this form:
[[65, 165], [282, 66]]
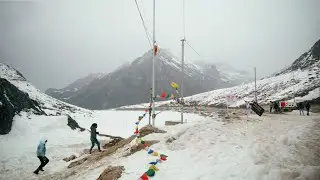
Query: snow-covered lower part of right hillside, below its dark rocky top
[[279, 87]]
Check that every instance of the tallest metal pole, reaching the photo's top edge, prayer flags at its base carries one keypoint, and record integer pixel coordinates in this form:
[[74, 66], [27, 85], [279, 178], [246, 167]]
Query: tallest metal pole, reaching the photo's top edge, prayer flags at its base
[[153, 63]]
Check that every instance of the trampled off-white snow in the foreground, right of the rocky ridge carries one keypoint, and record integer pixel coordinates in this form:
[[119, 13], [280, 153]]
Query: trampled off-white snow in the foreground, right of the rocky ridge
[[270, 147]]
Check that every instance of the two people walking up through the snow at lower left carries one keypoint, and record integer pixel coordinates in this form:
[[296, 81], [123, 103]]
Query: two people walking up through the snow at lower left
[[41, 149]]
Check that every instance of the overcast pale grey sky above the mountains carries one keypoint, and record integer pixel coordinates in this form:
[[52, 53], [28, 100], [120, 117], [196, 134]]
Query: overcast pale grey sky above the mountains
[[55, 42]]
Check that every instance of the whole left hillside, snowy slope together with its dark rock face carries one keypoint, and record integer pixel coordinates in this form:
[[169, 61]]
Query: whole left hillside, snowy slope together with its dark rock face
[[17, 95]]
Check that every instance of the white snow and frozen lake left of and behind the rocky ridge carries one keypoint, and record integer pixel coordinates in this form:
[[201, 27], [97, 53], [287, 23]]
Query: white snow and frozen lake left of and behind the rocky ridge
[[18, 148]]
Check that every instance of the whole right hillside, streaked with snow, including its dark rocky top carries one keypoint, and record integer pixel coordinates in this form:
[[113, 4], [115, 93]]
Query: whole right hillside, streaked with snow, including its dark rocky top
[[298, 80]]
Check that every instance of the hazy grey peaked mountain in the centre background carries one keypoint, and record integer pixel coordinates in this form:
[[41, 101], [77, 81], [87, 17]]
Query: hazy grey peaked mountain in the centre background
[[130, 84]]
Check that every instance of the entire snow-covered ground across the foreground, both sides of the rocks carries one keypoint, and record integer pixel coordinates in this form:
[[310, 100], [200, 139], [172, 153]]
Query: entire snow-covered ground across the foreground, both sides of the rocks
[[269, 147]]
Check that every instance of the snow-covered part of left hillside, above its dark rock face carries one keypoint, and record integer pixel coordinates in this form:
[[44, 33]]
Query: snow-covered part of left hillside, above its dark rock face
[[48, 104]]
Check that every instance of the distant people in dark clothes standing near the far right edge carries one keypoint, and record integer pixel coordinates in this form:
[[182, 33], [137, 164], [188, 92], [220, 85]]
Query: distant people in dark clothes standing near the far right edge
[[279, 107]]
